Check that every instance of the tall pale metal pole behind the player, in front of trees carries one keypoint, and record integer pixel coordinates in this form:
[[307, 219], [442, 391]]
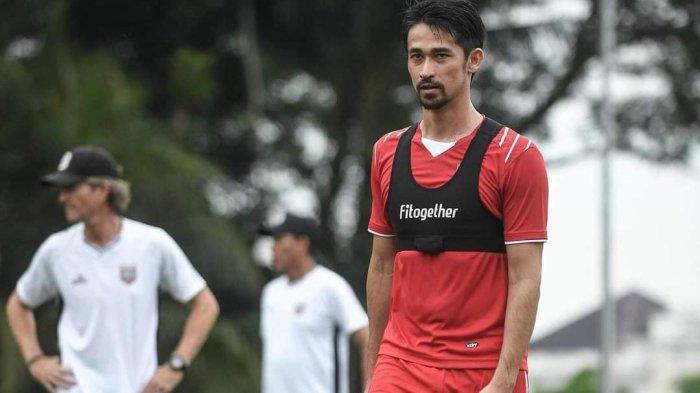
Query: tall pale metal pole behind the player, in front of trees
[[607, 46]]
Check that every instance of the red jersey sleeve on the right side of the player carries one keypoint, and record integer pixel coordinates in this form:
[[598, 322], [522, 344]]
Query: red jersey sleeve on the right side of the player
[[525, 195]]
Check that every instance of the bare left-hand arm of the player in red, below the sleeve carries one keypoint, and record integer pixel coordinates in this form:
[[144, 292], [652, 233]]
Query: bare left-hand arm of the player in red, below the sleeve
[[379, 276]]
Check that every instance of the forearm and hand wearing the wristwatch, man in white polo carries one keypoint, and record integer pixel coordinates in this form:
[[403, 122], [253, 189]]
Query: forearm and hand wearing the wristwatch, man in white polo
[[204, 310]]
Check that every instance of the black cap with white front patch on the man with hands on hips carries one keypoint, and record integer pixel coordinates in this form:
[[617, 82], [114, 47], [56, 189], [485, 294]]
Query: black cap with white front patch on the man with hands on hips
[[79, 164]]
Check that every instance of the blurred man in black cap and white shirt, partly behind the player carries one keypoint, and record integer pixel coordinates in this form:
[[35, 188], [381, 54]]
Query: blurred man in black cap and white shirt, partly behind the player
[[307, 316]]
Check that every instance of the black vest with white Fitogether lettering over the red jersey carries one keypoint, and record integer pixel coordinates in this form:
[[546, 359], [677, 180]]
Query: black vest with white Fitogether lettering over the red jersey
[[450, 217]]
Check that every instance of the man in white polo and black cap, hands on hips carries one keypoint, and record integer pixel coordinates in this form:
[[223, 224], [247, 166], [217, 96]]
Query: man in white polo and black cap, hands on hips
[[107, 270]]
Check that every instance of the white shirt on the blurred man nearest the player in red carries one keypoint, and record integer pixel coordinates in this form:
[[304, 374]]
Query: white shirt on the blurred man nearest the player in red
[[305, 327]]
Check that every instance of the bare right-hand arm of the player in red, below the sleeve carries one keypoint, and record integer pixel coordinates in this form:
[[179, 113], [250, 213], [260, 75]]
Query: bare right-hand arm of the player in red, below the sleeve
[[524, 276]]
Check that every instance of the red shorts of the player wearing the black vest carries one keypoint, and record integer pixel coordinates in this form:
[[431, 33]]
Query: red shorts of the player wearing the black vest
[[393, 375]]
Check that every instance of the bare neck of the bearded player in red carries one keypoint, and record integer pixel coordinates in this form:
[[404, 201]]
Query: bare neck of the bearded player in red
[[451, 122]]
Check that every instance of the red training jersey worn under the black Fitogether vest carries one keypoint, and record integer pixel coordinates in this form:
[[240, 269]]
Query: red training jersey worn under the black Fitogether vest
[[448, 309]]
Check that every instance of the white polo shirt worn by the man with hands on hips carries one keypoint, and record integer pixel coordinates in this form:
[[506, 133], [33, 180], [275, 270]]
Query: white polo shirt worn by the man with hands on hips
[[107, 329]]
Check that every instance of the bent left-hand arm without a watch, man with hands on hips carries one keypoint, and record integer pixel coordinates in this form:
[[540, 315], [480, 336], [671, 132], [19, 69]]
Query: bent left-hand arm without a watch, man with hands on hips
[[46, 370]]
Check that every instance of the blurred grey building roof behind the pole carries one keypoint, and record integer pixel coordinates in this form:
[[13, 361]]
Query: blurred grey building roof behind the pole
[[633, 311]]
